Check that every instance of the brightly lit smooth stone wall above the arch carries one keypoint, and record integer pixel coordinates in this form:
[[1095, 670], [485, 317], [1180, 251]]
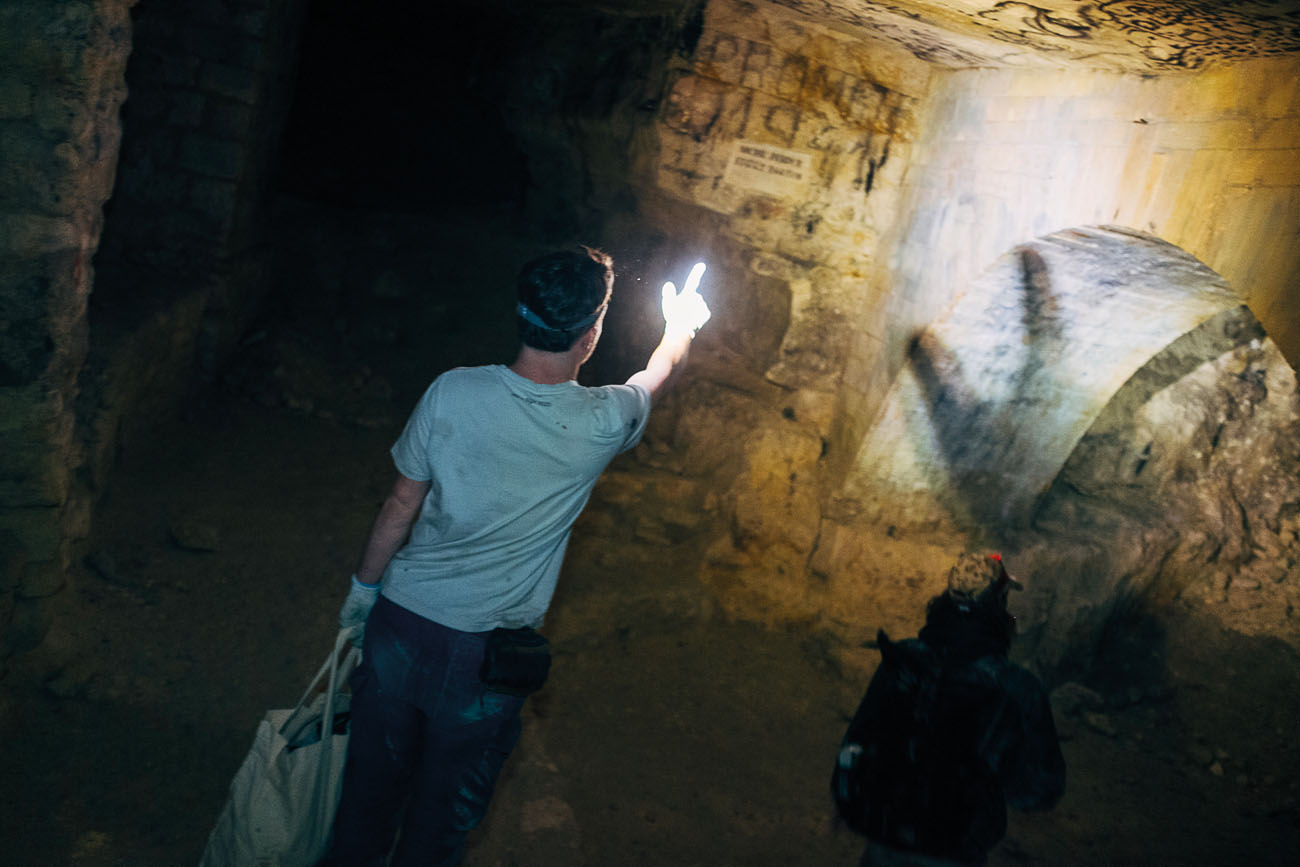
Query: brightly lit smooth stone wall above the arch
[[1208, 162]]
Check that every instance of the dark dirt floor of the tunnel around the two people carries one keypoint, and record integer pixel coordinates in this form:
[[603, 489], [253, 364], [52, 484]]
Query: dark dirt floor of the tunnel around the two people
[[668, 734]]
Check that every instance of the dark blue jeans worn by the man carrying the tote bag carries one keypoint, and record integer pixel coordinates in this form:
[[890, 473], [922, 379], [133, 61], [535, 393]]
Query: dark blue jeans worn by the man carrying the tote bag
[[427, 735]]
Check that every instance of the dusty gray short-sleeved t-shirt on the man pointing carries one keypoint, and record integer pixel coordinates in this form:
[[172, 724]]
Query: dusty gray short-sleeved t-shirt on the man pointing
[[512, 465]]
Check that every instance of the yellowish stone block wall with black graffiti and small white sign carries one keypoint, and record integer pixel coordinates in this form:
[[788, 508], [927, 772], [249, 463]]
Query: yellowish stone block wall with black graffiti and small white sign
[[796, 138]]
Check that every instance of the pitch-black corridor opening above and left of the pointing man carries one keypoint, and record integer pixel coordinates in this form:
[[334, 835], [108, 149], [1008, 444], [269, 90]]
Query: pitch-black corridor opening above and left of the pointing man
[[397, 106]]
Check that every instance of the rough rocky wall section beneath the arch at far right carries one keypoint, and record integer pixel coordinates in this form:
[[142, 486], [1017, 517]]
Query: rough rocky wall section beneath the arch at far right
[[1186, 491]]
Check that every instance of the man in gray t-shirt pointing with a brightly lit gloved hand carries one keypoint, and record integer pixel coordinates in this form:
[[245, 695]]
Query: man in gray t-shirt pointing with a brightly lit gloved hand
[[493, 469]]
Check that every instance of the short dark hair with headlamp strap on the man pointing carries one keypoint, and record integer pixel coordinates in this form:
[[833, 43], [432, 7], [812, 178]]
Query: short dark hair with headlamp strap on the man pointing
[[566, 292]]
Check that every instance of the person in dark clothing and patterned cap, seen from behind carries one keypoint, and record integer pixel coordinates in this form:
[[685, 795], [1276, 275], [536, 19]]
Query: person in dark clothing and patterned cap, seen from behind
[[950, 734]]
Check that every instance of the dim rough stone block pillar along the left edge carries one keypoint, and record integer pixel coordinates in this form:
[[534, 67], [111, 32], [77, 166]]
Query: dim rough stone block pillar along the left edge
[[60, 92]]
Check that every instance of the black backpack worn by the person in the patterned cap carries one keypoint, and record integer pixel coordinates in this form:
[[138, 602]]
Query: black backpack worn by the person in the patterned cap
[[912, 774]]
